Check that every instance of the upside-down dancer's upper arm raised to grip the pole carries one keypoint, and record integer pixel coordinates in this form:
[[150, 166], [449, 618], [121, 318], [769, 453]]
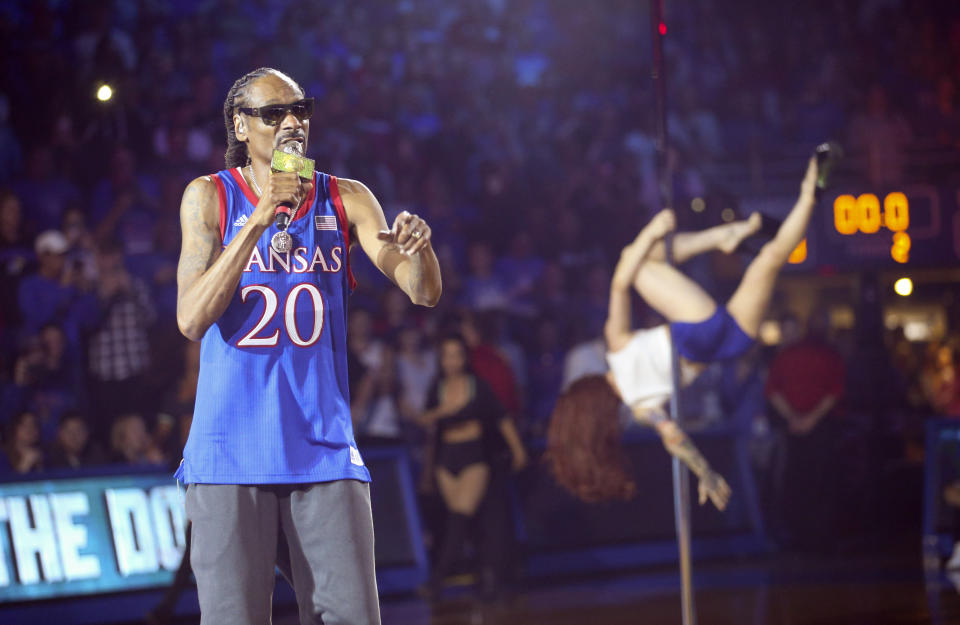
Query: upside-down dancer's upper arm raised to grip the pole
[[617, 328]]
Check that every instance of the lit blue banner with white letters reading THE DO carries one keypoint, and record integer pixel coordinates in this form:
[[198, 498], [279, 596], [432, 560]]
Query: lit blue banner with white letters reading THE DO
[[92, 535]]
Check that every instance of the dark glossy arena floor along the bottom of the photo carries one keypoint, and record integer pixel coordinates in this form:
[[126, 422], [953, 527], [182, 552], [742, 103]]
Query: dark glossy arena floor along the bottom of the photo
[[785, 590]]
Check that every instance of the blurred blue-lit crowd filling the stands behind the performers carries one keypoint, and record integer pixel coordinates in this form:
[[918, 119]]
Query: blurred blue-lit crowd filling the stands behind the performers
[[521, 130]]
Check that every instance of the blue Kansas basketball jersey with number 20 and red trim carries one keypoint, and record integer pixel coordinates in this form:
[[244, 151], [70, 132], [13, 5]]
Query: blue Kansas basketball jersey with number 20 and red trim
[[273, 405]]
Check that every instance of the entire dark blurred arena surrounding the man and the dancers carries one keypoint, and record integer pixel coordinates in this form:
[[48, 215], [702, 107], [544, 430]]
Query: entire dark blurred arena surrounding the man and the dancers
[[525, 133]]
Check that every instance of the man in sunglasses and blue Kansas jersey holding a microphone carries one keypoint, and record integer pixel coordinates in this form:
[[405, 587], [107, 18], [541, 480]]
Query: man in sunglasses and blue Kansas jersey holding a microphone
[[272, 469]]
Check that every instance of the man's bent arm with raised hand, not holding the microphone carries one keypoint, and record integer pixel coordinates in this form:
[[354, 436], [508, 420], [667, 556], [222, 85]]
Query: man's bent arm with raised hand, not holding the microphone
[[409, 261]]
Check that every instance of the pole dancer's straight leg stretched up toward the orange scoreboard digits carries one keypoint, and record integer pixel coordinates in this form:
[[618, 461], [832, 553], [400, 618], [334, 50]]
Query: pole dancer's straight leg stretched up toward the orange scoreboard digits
[[749, 302]]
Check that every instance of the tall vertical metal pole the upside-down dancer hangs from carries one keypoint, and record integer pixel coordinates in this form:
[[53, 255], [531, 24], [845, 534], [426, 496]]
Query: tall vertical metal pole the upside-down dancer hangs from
[[681, 476]]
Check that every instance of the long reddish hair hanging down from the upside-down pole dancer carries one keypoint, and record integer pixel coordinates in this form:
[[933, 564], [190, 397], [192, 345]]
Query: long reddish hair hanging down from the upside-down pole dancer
[[584, 452]]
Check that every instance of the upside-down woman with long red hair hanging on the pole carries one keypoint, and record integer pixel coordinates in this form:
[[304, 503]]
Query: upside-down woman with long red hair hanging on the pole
[[583, 440]]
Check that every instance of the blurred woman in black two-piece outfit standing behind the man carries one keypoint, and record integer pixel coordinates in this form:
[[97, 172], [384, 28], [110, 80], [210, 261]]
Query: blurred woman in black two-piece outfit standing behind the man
[[468, 425]]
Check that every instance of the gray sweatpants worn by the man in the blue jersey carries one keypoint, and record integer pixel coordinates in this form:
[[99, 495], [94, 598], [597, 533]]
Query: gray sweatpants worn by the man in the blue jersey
[[325, 536]]
